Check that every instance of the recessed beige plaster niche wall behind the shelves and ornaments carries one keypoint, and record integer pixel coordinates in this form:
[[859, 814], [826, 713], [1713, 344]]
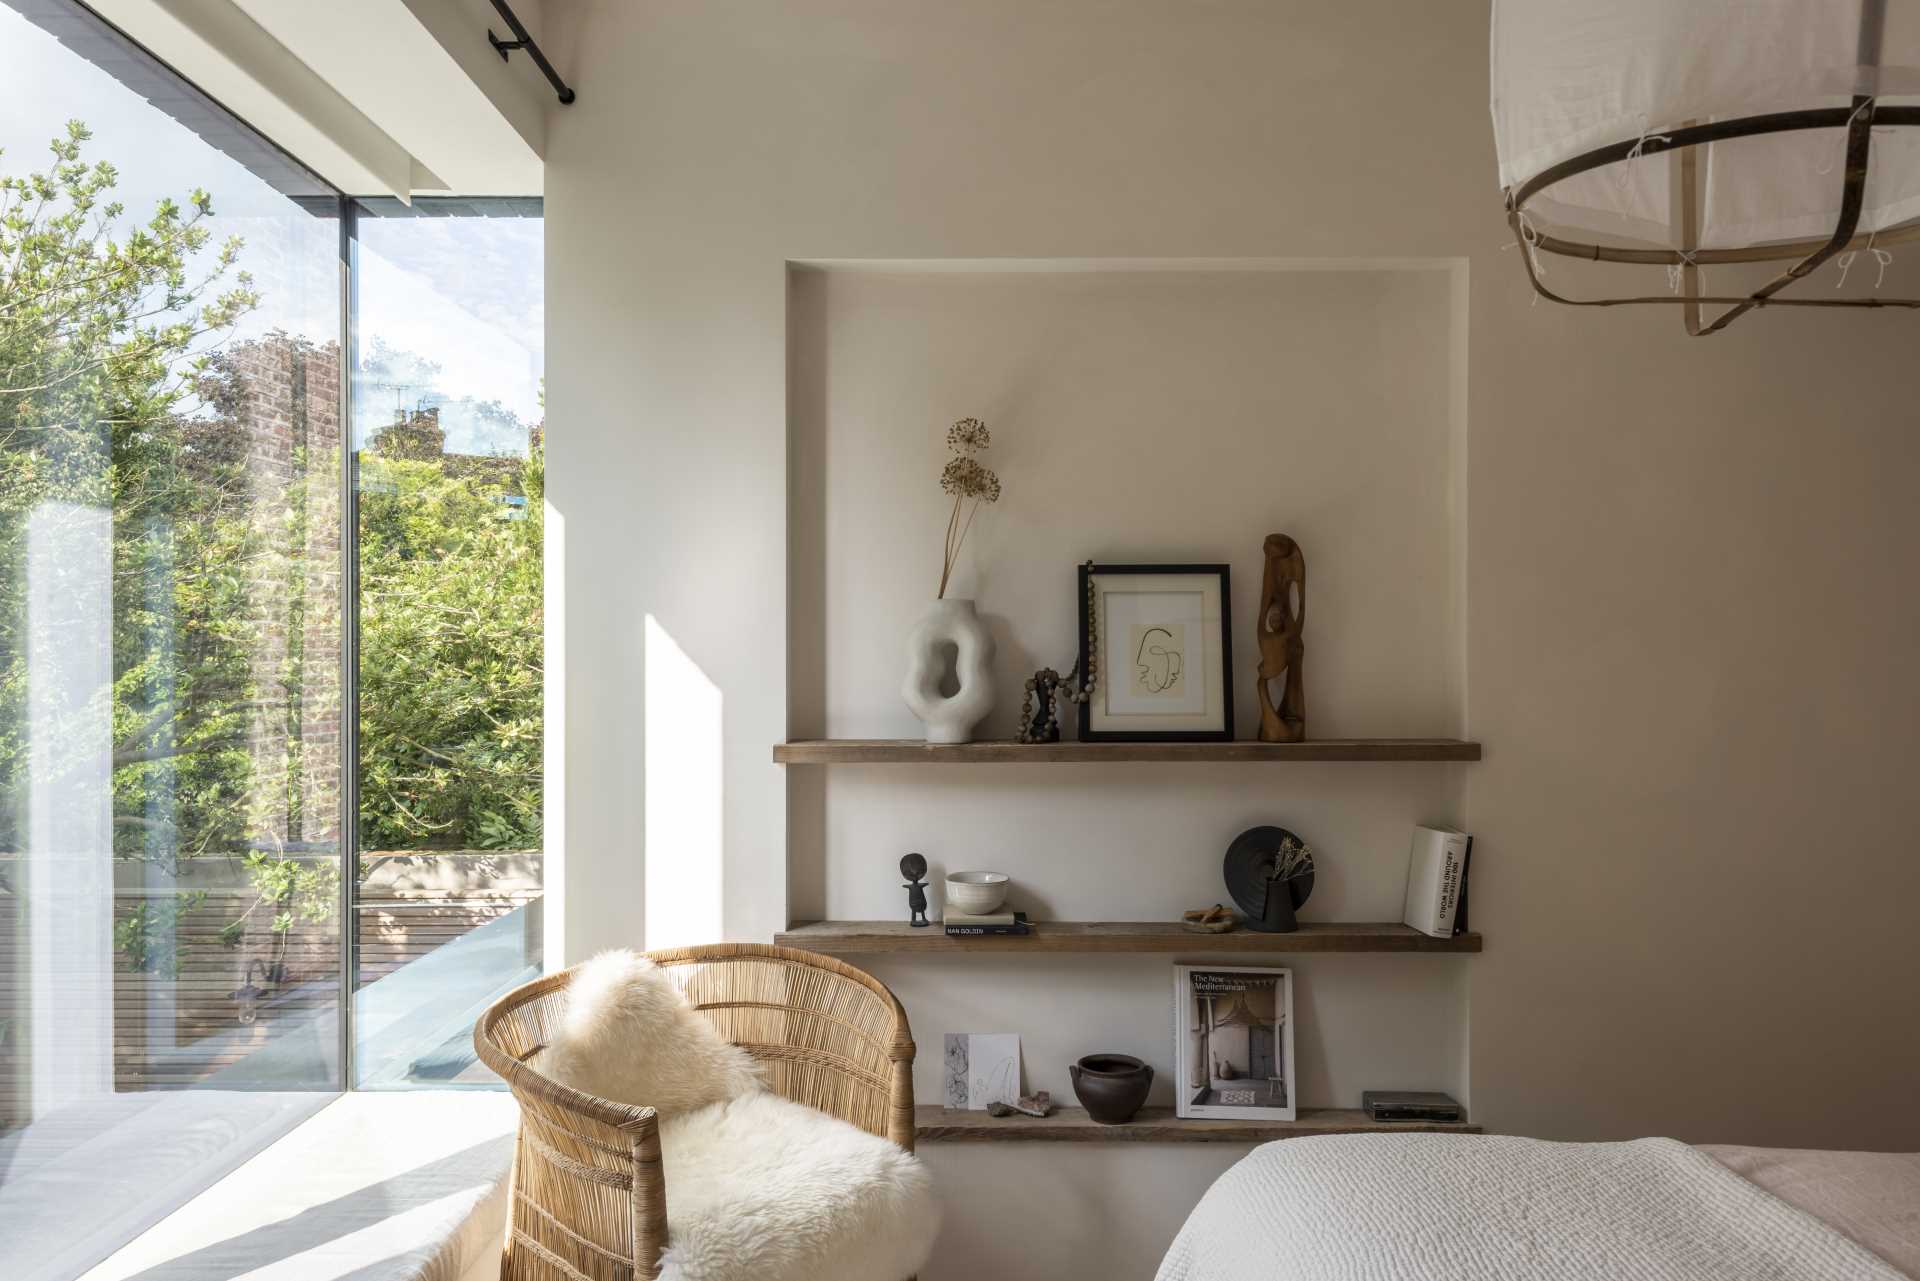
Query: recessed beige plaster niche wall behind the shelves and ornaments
[[1141, 414]]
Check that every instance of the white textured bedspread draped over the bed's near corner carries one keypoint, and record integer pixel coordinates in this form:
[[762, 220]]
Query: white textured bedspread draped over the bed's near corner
[[1497, 1209]]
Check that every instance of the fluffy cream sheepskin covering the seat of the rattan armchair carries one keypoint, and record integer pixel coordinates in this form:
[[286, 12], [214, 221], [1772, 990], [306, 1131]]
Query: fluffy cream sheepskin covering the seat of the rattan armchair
[[771, 1190]]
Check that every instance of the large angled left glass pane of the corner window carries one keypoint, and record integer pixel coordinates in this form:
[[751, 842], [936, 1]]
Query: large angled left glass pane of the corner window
[[170, 660]]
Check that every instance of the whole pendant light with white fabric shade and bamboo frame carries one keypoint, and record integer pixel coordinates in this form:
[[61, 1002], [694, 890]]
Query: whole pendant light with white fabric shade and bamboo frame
[[1698, 133]]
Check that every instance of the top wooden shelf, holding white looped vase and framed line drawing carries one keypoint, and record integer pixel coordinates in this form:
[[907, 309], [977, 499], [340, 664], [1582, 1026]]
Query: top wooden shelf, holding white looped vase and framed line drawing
[[1001, 752]]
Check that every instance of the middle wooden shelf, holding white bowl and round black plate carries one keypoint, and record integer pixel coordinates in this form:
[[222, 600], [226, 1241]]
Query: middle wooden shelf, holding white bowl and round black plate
[[1116, 936]]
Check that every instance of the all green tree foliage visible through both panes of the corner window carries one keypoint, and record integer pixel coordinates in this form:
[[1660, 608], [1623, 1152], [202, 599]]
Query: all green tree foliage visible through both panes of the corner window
[[118, 399]]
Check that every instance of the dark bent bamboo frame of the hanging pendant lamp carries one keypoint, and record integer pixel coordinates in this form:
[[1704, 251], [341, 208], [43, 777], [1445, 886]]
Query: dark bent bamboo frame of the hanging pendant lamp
[[1860, 120]]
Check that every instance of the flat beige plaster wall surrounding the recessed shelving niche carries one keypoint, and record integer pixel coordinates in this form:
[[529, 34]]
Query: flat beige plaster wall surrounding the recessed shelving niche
[[1689, 577]]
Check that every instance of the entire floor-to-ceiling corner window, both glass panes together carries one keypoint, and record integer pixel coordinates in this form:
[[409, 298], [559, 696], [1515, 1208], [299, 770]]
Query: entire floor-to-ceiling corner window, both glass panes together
[[270, 660]]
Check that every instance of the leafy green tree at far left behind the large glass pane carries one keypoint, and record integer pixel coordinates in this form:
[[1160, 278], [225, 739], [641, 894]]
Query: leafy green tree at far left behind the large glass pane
[[101, 349]]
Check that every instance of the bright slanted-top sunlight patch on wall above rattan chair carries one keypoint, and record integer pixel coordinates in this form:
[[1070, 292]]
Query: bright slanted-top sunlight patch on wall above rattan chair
[[684, 796]]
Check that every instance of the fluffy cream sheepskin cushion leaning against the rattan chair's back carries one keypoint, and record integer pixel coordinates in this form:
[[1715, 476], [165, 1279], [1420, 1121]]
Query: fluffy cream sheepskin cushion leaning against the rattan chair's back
[[631, 1036]]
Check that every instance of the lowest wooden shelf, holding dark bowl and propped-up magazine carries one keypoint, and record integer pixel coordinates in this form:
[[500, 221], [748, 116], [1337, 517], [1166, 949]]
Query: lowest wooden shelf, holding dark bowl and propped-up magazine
[[934, 1124]]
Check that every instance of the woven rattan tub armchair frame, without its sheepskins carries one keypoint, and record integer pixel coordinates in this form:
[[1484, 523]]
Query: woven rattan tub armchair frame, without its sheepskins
[[588, 1199]]
